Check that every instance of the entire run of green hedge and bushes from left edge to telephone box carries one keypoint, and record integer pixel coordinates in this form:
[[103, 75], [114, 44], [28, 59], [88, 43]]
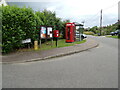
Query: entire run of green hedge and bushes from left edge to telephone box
[[18, 24]]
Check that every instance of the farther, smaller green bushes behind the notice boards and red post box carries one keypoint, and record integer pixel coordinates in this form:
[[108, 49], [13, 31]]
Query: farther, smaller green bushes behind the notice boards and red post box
[[49, 19]]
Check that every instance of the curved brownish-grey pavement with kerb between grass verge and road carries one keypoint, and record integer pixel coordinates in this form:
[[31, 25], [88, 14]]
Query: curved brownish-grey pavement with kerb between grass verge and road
[[22, 57]]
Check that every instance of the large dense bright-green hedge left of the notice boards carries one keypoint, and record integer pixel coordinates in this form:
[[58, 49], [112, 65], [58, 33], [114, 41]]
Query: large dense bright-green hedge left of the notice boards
[[17, 24]]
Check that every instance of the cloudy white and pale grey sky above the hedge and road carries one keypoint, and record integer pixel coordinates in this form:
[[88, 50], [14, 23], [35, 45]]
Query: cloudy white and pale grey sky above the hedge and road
[[79, 10]]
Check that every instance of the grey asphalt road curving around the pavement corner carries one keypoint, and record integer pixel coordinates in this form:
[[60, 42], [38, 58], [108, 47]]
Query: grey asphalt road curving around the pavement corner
[[94, 68]]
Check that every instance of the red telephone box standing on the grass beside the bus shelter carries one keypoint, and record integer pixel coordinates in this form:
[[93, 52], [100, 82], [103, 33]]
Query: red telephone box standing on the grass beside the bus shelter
[[70, 32]]
